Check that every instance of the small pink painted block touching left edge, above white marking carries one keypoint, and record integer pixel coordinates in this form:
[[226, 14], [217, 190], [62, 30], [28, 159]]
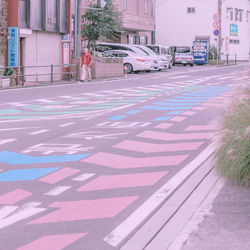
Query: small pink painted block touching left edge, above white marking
[[14, 197]]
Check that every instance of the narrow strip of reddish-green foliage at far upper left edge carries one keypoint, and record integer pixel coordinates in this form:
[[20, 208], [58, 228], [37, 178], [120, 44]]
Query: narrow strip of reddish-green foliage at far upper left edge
[[3, 30]]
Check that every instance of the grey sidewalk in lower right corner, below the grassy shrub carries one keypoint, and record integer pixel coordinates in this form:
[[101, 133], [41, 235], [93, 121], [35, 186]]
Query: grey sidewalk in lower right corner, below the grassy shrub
[[227, 225]]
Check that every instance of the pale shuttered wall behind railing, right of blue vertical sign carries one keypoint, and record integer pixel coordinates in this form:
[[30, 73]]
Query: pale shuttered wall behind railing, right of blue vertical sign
[[43, 49]]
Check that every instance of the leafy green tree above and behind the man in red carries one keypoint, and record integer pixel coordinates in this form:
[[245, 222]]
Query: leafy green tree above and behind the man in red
[[101, 24]]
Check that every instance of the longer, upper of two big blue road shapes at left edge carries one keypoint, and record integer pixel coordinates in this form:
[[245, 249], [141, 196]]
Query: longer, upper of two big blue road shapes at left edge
[[18, 159]]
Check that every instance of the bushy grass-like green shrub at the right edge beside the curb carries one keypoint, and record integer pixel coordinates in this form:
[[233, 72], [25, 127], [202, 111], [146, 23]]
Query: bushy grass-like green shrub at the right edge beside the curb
[[233, 153]]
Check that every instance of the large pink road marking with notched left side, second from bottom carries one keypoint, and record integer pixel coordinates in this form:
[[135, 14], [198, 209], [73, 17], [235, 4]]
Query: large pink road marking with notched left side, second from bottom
[[85, 210]]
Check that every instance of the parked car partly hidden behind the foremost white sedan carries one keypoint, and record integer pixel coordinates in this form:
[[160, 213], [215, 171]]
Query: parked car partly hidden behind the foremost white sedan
[[127, 47]]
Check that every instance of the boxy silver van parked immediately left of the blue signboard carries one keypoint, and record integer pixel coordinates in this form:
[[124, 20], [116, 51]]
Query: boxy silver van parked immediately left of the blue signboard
[[182, 55]]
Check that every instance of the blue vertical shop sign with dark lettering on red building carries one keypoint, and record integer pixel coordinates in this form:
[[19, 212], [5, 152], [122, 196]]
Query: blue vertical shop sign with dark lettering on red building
[[13, 47]]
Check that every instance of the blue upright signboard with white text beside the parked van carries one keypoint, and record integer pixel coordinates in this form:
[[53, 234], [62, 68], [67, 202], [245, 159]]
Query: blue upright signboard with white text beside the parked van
[[200, 52]]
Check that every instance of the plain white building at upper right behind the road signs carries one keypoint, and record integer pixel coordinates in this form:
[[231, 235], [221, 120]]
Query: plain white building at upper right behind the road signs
[[180, 22]]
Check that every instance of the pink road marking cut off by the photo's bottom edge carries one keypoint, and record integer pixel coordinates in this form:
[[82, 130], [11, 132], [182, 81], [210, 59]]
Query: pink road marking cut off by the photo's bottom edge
[[53, 242]]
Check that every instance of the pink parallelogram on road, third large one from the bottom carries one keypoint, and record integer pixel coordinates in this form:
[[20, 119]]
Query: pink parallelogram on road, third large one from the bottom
[[123, 181]]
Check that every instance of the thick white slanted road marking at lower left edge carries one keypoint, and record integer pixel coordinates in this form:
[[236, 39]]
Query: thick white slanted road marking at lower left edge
[[19, 214]]
